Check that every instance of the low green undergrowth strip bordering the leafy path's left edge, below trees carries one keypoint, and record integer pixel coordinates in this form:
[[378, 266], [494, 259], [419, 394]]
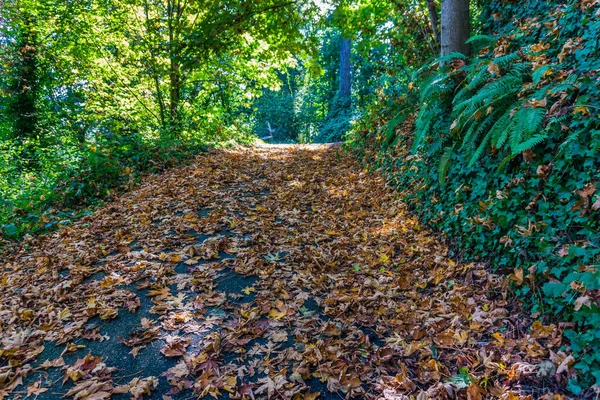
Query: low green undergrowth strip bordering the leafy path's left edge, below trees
[[70, 179]]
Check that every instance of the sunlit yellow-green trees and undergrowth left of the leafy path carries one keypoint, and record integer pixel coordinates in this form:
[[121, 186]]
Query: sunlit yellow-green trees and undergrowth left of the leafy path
[[84, 115]]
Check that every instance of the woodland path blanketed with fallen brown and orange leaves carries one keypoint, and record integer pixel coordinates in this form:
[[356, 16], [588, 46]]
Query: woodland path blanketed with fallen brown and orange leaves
[[274, 272]]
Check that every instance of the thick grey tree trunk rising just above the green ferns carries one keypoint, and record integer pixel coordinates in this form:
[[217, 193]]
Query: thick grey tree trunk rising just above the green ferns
[[455, 27]]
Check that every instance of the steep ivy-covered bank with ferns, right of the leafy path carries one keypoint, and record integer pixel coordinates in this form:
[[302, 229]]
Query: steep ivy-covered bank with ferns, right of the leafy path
[[502, 153]]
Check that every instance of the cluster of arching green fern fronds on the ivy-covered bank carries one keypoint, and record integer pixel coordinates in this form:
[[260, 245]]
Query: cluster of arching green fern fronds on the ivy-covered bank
[[493, 102]]
